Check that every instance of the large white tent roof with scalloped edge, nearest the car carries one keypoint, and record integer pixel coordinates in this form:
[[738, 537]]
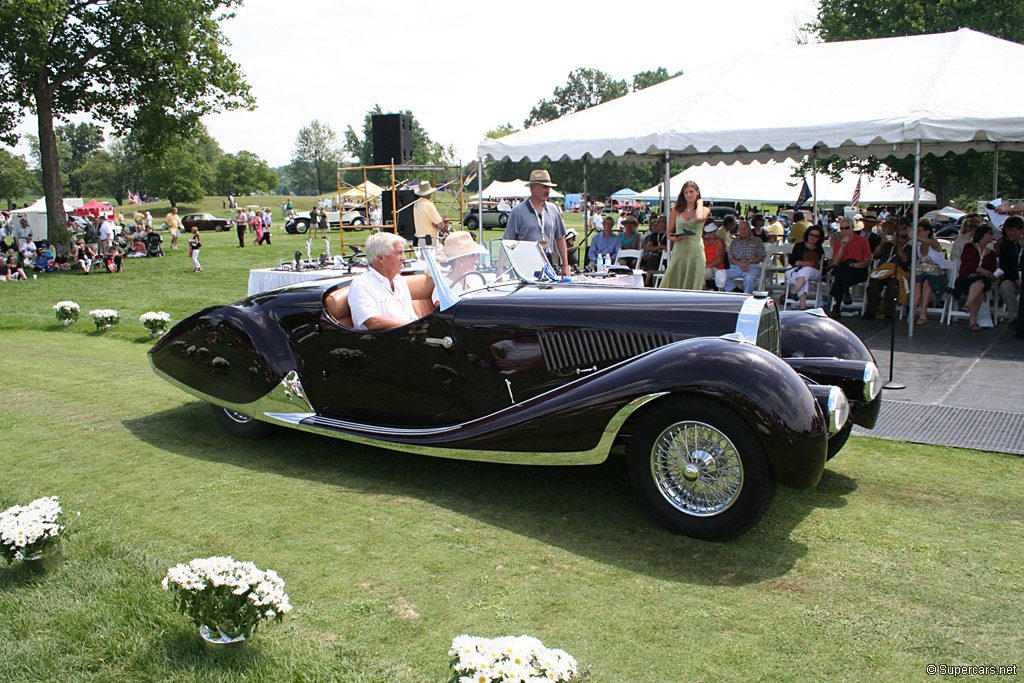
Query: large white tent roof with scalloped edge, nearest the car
[[935, 89]]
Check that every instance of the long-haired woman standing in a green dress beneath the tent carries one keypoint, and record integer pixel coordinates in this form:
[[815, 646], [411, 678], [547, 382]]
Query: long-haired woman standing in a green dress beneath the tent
[[687, 263]]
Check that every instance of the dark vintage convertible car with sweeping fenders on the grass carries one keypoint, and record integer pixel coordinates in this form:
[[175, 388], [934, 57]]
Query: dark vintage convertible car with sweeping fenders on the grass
[[714, 397]]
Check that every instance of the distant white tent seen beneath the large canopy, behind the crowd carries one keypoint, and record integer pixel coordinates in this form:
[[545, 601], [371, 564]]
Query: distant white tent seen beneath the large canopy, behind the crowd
[[773, 183]]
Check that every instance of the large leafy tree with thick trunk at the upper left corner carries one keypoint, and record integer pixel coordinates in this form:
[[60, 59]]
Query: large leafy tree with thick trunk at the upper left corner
[[164, 60]]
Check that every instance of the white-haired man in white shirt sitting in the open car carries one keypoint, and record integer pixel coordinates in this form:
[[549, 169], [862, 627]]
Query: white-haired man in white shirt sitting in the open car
[[380, 298]]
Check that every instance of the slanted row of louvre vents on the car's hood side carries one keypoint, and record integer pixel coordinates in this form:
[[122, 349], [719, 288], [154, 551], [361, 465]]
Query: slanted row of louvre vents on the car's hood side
[[568, 351]]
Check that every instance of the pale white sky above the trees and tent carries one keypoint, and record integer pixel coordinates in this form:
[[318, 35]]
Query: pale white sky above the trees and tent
[[462, 67]]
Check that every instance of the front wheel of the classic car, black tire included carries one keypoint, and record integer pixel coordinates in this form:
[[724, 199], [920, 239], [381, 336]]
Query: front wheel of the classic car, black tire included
[[717, 486]]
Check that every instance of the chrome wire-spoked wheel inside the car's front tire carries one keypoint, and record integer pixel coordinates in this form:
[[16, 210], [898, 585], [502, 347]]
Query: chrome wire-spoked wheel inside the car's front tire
[[697, 468]]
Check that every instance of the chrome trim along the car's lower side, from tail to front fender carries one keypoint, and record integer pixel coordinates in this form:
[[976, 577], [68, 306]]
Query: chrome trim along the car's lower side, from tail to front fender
[[278, 408]]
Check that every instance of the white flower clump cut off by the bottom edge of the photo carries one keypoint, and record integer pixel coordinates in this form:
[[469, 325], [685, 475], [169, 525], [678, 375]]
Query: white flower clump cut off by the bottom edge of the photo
[[508, 659]]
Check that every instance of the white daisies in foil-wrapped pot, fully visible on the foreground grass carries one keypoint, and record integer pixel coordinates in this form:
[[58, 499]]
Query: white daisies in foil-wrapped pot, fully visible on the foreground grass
[[227, 600]]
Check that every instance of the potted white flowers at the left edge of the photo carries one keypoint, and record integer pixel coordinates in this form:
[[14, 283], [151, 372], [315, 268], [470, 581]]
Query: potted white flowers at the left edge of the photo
[[32, 533]]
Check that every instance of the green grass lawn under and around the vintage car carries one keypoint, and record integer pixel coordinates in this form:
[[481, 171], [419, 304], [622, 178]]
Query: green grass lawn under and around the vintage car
[[904, 557]]
